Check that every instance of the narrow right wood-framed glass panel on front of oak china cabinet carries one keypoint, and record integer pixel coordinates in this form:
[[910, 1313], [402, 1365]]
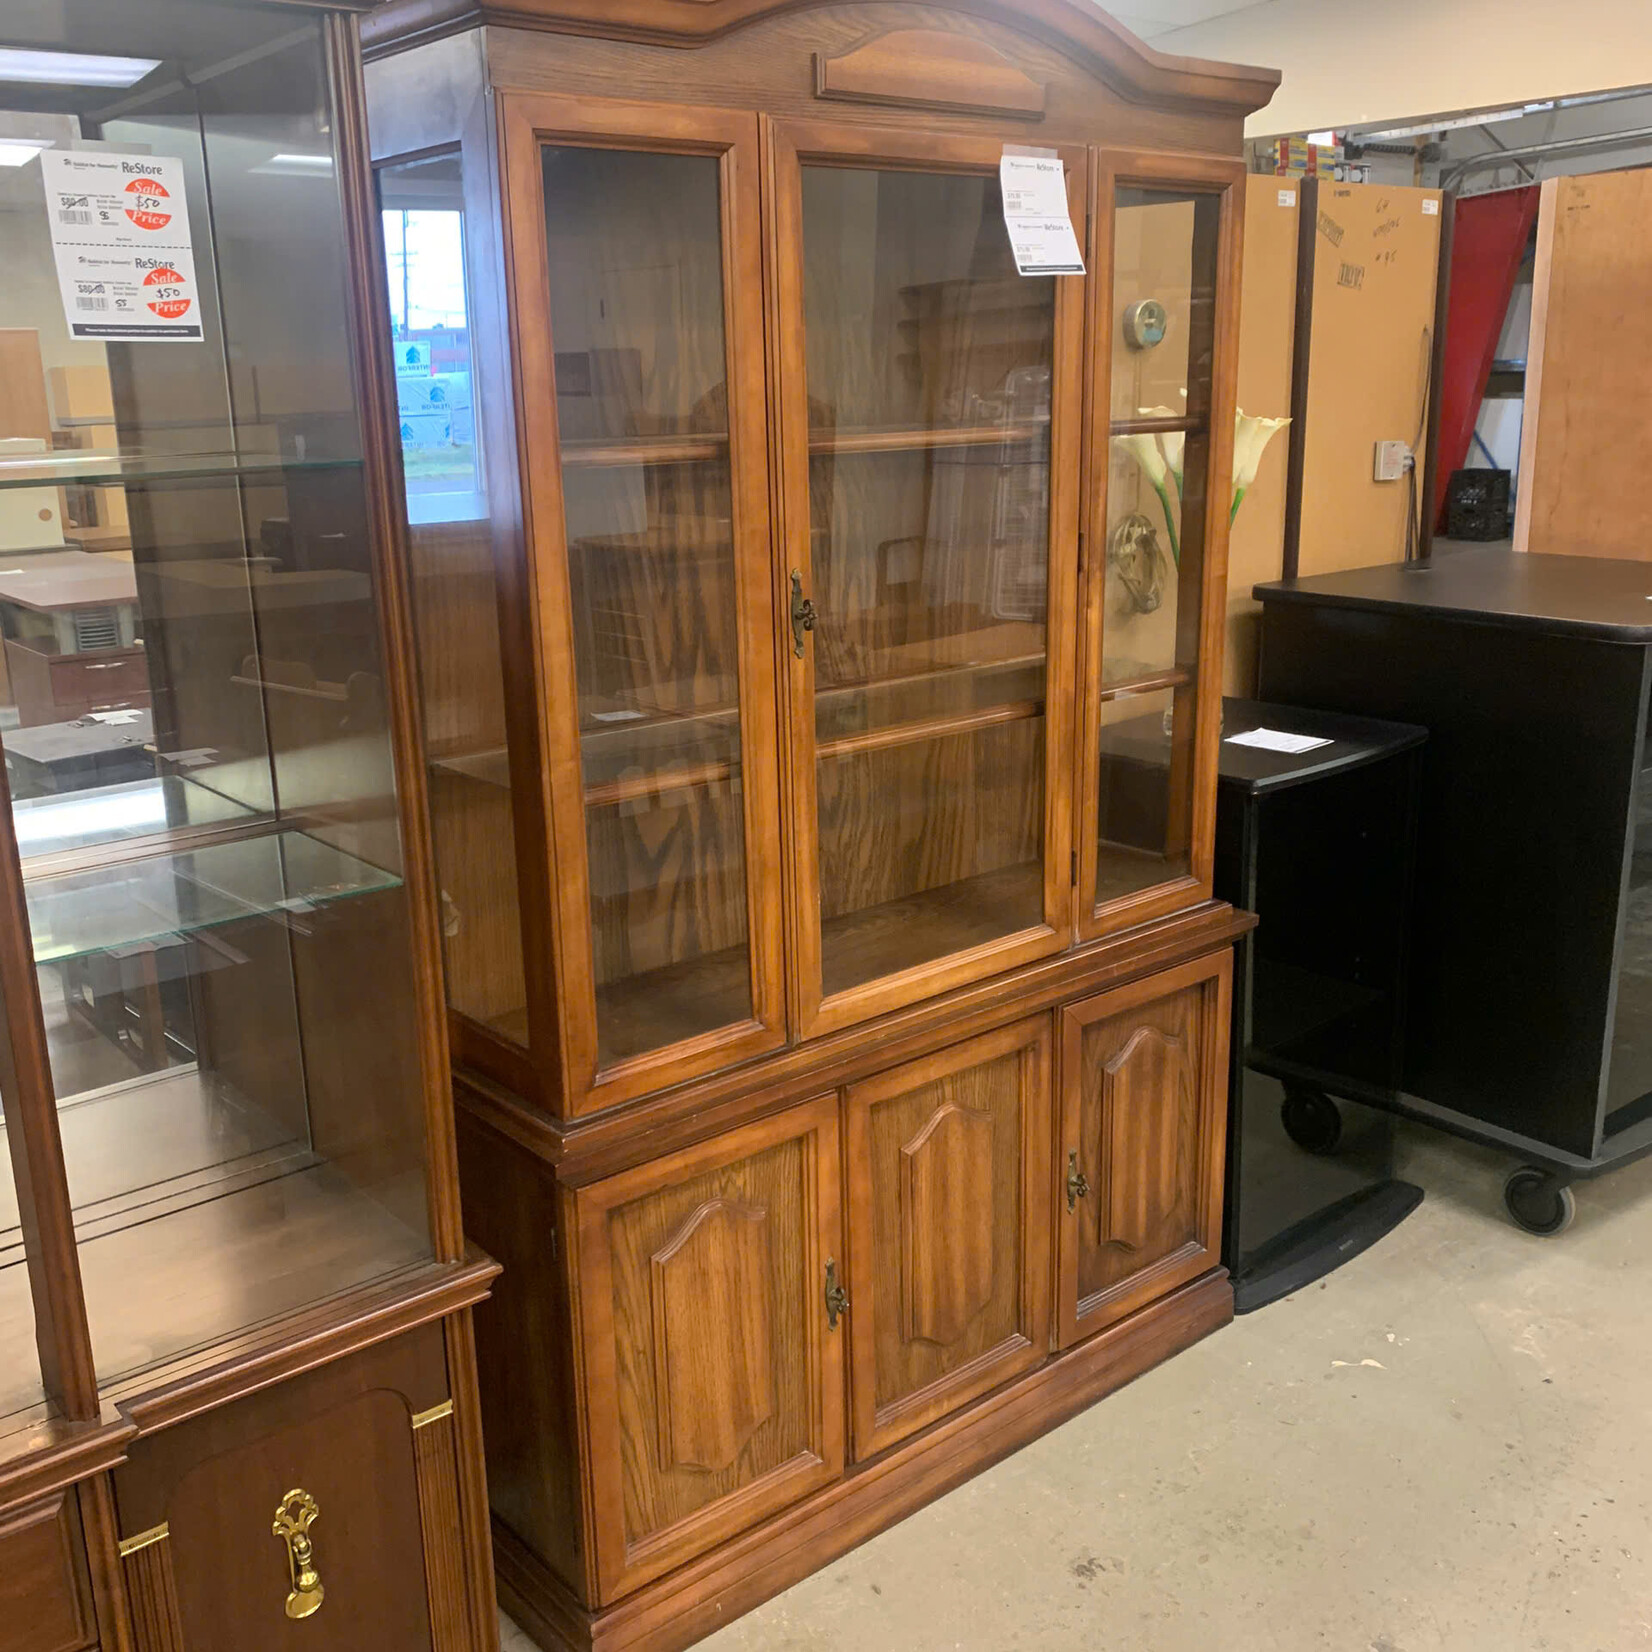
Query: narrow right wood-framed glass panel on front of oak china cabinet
[[1157, 534]]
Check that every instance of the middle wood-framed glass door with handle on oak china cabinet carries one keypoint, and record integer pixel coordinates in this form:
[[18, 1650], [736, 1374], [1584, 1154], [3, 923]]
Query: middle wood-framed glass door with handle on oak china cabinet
[[931, 402]]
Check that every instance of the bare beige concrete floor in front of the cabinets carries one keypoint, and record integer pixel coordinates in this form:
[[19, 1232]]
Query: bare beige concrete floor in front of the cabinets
[[1443, 1448]]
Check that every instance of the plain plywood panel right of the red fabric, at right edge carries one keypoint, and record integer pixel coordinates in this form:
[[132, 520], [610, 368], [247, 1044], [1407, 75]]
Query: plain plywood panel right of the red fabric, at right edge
[[1588, 422]]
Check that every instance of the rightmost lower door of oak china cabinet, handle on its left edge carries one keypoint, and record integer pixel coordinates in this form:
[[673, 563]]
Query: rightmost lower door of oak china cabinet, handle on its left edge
[[1139, 1177]]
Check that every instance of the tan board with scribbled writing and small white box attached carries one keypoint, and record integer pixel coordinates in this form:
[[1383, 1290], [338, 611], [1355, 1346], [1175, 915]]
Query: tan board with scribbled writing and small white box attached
[[1374, 315]]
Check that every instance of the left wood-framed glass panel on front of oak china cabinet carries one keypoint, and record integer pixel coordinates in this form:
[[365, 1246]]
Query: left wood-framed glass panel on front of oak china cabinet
[[640, 315]]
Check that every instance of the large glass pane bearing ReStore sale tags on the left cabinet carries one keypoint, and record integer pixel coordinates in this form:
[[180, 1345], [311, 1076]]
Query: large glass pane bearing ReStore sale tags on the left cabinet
[[194, 714]]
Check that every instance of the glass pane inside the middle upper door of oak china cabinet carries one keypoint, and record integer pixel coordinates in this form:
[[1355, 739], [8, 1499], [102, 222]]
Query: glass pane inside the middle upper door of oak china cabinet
[[929, 406]]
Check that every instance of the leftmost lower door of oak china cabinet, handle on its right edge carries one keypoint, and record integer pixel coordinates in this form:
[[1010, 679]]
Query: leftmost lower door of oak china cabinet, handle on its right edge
[[711, 1341]]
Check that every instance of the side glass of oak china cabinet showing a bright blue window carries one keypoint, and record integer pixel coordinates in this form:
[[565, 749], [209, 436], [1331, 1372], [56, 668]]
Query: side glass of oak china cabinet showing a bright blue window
[[455, 596]]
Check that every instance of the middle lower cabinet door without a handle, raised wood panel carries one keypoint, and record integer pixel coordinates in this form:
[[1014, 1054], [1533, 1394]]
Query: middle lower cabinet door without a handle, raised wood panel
[[949, 1230]]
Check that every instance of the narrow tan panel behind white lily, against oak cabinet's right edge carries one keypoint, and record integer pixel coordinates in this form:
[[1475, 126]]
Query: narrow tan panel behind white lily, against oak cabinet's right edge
[[1256, 546]]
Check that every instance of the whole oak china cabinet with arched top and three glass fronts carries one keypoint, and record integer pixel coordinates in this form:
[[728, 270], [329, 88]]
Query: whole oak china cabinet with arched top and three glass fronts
[[842, 1037]]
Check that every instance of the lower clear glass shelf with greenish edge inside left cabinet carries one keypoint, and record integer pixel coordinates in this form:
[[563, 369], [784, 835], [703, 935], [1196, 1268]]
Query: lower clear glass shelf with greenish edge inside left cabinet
[[166, 896]]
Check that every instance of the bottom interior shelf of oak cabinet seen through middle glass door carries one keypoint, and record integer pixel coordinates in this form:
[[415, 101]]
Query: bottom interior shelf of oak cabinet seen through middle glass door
[[904, 934]]
